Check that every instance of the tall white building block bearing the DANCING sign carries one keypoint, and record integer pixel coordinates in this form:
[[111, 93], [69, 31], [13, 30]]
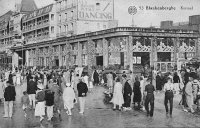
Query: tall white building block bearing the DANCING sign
[[83, 16]]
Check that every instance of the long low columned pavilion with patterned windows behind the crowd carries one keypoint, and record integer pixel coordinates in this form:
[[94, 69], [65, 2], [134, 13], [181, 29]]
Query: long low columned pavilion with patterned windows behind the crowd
[[127, 47]]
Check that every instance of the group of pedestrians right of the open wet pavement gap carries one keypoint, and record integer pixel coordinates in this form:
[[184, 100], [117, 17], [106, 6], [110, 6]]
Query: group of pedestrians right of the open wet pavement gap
[[142, 90]]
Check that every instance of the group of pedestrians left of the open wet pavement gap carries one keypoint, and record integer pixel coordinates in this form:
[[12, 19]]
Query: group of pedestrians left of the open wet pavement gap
[[47, 92]]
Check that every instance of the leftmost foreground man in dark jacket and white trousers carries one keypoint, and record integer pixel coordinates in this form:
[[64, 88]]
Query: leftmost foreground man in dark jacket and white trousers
[[9, 96]]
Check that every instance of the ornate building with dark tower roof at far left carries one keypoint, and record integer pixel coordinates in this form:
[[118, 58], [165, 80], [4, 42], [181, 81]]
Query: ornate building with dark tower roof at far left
[[10, 31]]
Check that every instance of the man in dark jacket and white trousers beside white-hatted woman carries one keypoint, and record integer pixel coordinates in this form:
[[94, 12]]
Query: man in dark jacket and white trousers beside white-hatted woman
[[82, 91]]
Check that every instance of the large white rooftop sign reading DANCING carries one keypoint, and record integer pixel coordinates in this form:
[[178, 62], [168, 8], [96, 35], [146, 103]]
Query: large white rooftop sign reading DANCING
[[95, 9]]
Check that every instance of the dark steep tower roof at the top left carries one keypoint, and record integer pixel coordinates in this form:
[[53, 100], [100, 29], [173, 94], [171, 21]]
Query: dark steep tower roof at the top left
[[27, 6]]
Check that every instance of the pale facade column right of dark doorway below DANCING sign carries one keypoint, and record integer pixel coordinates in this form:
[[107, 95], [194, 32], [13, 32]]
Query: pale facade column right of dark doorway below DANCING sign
[[105, 52]]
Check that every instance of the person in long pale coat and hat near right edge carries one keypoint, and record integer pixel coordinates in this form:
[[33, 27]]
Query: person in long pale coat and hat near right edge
[[189, 92]]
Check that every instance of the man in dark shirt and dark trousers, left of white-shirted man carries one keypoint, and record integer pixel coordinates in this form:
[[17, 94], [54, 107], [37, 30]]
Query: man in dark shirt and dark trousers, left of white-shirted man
[[149, 92]]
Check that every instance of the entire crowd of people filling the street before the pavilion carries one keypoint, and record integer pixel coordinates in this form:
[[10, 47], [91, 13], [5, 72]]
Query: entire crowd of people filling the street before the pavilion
[[51, 90]]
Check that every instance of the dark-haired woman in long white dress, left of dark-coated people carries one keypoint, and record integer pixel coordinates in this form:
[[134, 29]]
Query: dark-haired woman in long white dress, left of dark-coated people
[[117, 95]]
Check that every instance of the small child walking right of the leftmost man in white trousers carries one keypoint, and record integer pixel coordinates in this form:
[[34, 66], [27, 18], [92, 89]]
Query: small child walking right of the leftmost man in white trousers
[[25, 102]]
